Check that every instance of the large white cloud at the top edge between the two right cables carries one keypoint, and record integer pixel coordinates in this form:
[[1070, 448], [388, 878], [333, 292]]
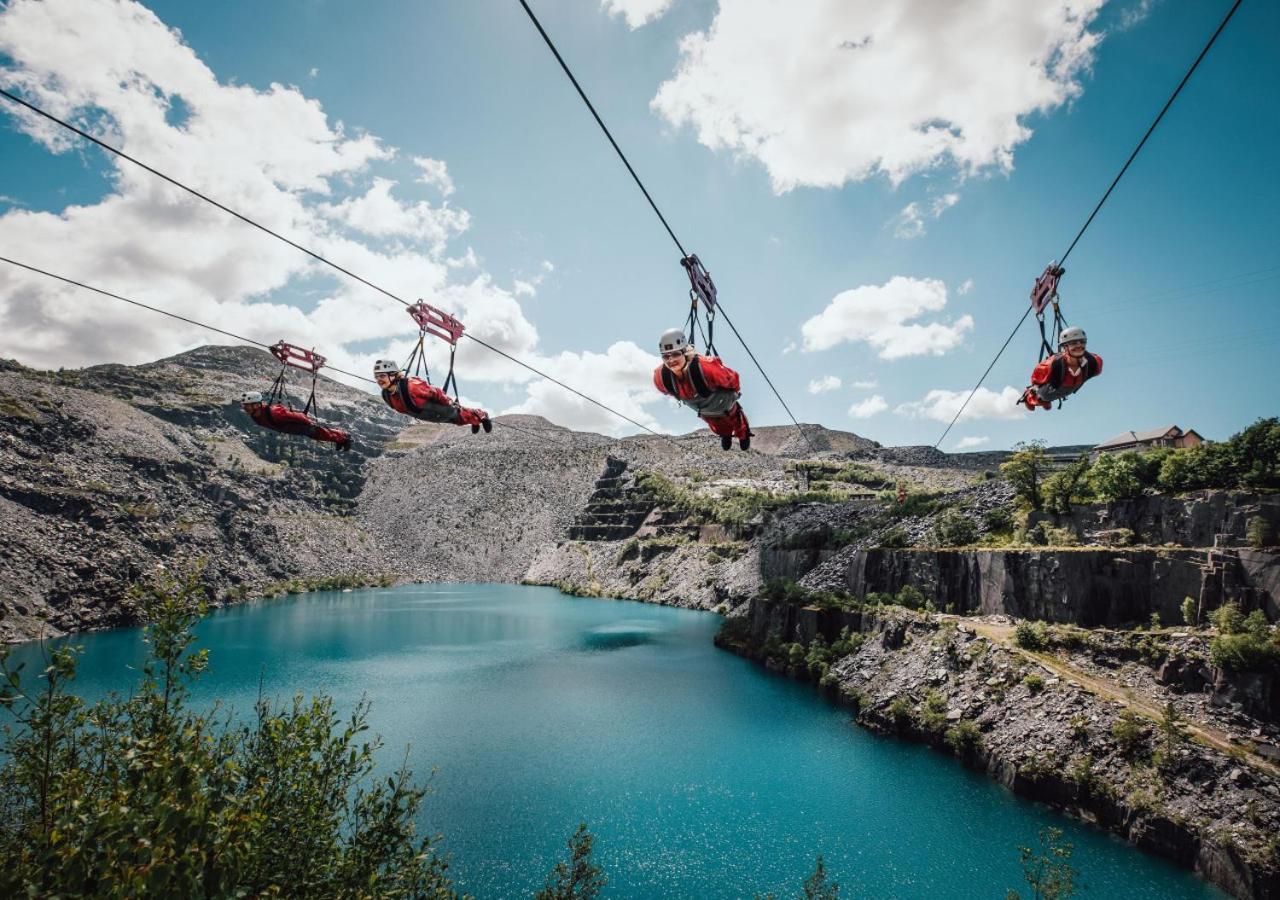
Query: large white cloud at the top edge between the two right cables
[[829, 93]]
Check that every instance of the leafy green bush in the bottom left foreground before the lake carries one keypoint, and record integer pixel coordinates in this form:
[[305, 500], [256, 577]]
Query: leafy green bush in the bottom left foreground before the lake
[[144, 797]]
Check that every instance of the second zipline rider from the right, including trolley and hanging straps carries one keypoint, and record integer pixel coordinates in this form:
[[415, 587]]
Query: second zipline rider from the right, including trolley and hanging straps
[[702, 383]]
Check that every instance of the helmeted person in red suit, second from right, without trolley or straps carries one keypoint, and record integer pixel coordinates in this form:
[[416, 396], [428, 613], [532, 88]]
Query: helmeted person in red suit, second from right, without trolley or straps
[[706, 386]]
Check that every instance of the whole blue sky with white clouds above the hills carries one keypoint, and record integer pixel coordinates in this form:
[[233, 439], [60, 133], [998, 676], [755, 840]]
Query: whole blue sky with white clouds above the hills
[[874, 186]]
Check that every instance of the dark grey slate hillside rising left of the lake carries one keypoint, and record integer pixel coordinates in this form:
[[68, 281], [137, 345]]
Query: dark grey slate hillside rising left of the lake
[[113, 470]]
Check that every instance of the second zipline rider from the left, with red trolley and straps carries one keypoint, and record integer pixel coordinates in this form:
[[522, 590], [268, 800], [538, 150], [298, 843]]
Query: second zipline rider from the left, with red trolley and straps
[[414, 395]]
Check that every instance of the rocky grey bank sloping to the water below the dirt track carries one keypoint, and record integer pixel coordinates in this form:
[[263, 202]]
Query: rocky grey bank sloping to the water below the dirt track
[[1043, 729]]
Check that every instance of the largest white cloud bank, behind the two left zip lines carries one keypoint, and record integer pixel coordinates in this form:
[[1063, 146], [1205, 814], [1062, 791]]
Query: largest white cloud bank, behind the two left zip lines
[[275, 154]]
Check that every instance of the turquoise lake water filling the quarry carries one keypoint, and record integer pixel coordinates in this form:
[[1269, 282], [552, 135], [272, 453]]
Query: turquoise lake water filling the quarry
[[700, 774]]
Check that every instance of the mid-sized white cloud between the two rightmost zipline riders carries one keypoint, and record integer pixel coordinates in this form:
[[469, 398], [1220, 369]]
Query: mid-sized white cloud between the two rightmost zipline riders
[[881, 316]]
